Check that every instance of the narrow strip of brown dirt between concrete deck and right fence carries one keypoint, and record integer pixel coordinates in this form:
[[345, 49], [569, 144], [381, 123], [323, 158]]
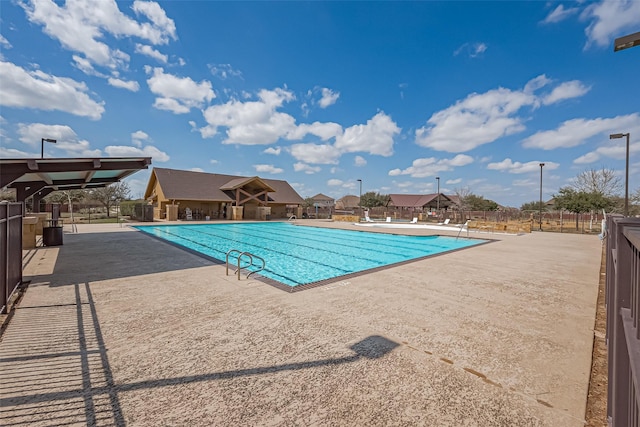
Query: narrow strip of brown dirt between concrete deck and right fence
[[596, 414]]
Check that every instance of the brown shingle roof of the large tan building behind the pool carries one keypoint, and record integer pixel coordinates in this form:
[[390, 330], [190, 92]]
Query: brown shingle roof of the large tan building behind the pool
[[187, 185]]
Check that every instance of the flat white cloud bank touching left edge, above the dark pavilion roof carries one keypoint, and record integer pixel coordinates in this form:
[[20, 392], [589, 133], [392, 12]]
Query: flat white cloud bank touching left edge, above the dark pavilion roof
[[38, 90]]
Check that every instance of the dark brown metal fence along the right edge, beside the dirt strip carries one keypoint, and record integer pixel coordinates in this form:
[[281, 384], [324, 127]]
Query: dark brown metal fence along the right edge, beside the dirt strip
[[623, 315]]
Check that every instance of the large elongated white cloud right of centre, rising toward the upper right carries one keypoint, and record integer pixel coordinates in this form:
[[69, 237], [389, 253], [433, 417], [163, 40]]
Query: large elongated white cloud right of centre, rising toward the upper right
[[483, 118]]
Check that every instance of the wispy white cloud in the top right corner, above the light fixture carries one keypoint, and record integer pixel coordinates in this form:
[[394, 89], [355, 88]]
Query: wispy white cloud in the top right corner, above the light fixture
[[611, 19]]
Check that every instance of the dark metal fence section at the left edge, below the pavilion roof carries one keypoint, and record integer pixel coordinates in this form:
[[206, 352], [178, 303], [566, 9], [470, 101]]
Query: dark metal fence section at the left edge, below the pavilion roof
[[10, 250]]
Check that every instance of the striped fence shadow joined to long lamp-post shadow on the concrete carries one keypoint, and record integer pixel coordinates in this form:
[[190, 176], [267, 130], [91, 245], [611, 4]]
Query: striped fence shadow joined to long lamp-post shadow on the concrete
[[57, 370]]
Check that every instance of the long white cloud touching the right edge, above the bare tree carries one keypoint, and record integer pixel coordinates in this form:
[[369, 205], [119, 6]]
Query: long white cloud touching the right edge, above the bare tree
[[576, 131]]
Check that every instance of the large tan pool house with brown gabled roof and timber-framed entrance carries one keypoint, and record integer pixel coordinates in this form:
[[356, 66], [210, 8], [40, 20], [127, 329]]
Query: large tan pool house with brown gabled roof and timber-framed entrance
[[179, 194]]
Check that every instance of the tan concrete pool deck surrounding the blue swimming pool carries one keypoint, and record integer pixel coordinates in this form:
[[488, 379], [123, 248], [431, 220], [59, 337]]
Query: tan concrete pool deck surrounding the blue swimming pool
[[117, 328]]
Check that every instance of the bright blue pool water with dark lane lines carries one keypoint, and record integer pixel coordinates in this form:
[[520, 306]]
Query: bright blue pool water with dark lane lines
[[299, 255]]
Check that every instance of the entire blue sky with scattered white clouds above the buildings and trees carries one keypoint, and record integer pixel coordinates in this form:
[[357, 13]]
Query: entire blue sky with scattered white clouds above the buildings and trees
[[322, 94]]
